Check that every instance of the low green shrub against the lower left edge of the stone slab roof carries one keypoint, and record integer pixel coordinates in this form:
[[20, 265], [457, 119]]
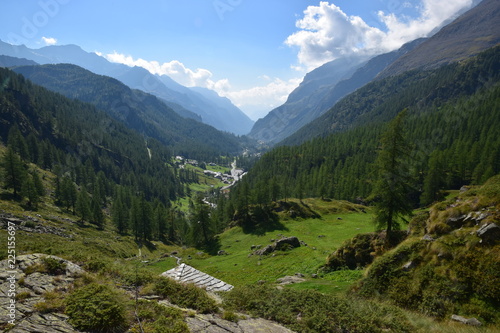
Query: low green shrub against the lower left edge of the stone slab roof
[[187, 296]]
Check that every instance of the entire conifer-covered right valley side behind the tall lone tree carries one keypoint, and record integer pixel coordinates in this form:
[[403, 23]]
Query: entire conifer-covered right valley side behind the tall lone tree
[[452, 122]]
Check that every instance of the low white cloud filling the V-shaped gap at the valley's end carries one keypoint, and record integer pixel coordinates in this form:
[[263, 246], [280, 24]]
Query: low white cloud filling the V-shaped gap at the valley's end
[[256, 102]]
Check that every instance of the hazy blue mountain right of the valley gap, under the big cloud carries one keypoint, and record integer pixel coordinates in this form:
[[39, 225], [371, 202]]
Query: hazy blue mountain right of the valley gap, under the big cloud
[[301, 105]]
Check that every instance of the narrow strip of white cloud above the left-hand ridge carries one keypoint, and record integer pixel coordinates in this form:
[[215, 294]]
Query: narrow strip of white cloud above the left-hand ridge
[[175, 69]]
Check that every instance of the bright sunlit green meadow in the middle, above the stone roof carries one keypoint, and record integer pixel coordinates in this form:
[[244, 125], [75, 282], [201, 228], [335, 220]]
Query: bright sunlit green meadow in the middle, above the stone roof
[[322, 237]]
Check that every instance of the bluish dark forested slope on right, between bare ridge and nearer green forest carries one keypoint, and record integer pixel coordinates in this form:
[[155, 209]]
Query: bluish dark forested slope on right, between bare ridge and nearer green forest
[[381, 100]]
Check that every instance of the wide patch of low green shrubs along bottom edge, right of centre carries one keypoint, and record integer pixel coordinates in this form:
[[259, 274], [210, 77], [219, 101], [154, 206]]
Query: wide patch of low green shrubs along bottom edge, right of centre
[[310, 311]]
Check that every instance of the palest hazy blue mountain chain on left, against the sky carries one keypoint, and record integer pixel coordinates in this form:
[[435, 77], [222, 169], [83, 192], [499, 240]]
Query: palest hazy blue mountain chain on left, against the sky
[[226, 119]]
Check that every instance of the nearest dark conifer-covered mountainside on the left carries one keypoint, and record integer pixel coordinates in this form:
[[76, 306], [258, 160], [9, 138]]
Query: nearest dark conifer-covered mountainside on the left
[[77, 140]]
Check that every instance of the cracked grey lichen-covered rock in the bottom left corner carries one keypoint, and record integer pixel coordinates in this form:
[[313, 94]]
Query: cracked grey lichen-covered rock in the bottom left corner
[[24, 284]]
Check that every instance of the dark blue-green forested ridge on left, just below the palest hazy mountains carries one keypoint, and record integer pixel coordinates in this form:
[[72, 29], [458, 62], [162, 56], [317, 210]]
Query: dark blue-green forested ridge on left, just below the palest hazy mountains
[[140, 111]]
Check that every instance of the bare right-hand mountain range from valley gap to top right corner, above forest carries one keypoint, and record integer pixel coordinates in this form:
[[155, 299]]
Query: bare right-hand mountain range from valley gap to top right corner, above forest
[[472, 32]]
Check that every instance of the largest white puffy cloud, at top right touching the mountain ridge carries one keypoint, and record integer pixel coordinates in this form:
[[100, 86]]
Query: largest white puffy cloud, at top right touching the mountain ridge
[[326, 32]]
